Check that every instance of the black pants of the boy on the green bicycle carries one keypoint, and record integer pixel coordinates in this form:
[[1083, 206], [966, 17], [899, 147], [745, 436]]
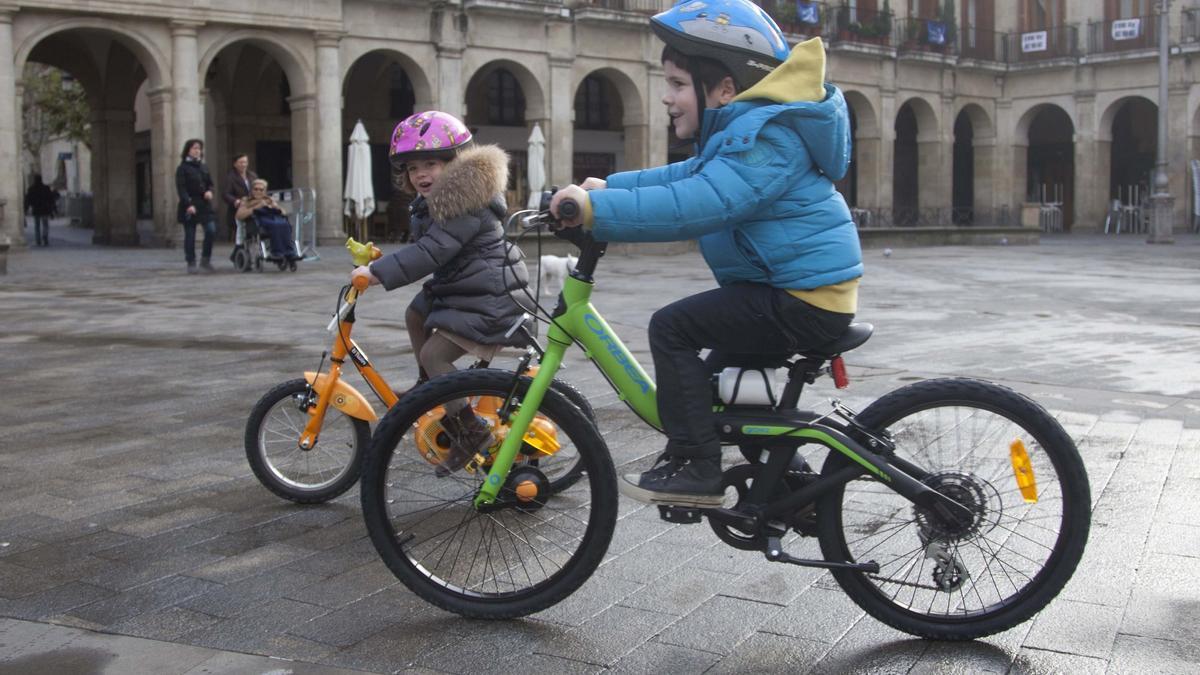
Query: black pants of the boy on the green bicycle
[[743, 325]]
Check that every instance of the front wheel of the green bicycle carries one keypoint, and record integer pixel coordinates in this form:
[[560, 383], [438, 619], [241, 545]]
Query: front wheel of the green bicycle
[[532, 549]]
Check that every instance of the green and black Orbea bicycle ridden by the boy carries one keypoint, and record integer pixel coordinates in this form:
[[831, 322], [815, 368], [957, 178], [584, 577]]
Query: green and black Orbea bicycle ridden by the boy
[[949, 509]]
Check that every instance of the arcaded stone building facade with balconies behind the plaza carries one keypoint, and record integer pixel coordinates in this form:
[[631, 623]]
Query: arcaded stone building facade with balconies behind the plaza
[[964, 111]]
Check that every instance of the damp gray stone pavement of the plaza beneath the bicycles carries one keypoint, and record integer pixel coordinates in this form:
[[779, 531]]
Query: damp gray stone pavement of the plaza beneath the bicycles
[[130, 523]]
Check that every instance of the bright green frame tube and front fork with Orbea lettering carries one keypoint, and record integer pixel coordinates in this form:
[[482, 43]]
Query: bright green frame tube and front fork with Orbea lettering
[[581, 322]]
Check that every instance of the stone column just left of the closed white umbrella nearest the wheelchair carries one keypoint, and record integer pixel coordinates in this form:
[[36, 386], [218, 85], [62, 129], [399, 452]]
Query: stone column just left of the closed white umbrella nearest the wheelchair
[[327, 140]]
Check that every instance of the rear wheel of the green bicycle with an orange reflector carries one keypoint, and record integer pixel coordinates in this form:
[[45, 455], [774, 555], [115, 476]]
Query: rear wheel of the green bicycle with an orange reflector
[[1009, 462]]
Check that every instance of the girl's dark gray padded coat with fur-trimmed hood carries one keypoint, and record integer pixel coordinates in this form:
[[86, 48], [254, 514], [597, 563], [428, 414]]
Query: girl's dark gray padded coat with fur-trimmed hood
[[459, 238]]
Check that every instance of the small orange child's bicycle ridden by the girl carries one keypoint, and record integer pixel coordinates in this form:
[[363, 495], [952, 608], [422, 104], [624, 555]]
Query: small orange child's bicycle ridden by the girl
[[307, 439]]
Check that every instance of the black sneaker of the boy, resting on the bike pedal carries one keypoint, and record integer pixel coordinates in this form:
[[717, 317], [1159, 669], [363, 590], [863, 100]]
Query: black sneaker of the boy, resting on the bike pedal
[[675, 481]]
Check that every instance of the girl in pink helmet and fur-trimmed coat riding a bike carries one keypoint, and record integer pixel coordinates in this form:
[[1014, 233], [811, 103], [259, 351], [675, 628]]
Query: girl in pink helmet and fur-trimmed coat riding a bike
[[467, 306]]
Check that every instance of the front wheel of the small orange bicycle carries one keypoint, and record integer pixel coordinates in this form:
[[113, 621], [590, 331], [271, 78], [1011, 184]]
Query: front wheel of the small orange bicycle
[[273, 409]]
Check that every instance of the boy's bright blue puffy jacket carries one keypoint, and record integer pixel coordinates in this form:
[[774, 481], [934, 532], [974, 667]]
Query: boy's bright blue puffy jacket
[[759, 195]]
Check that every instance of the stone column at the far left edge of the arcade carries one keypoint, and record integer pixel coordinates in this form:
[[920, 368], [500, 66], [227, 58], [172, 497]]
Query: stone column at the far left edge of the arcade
[[11, 182]]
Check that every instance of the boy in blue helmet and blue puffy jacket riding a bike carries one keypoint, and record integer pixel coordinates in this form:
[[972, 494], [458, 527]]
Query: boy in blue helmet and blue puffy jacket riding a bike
[[772, 139]]
